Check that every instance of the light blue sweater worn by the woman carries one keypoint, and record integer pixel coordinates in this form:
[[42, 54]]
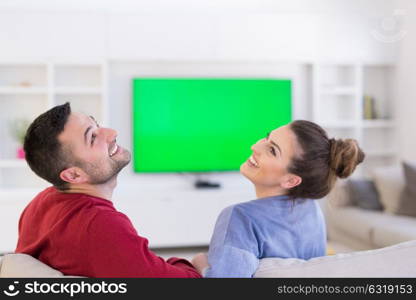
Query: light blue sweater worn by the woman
[[266, 227]]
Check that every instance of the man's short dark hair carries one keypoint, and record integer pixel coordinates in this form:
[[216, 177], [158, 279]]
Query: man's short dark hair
[[44, 153]]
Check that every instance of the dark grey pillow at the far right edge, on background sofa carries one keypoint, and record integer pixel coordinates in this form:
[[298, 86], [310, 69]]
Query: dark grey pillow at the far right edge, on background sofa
[[408, 197]]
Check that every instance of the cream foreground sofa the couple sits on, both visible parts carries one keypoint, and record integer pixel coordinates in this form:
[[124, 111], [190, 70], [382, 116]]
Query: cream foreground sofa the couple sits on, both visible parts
[[395, 261]]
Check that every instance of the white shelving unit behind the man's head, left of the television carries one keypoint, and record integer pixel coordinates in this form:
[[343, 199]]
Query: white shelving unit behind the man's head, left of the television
[[29, 88]]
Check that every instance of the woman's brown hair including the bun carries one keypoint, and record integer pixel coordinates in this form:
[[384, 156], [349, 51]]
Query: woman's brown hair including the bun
[[321, 160]]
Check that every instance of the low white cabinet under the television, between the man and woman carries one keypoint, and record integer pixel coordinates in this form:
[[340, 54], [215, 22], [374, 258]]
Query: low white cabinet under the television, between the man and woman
[[177, 214]]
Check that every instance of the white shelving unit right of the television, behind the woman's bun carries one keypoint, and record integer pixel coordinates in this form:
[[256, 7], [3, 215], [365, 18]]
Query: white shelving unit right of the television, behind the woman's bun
[[338, 106]]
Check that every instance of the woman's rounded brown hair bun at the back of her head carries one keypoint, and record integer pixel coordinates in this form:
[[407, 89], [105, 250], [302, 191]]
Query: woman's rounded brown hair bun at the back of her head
[[345, 156]]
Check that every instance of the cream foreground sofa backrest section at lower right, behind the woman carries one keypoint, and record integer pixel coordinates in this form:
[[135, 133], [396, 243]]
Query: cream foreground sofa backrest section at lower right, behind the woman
[[394, 261]]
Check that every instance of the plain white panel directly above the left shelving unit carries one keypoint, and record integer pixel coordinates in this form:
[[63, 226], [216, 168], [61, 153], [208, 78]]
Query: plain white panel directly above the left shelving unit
[[43, 35]]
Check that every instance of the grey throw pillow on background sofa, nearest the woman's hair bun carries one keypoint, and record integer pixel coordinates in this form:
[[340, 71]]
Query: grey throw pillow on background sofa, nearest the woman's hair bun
[[363, 193]]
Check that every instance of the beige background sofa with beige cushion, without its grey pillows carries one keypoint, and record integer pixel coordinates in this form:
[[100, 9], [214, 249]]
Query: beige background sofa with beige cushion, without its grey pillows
[[361, 229]]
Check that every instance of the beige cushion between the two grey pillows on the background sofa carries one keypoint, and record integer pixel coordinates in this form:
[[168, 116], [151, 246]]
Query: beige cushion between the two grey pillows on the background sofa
[[390, 183]]
